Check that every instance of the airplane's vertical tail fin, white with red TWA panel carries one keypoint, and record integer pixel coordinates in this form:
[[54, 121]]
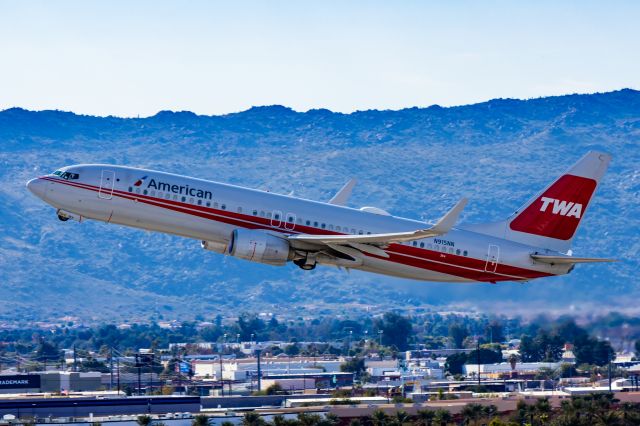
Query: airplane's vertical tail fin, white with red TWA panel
[[550, 219]]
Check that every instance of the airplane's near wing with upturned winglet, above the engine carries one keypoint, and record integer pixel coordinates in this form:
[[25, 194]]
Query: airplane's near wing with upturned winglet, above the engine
[[359, 242]]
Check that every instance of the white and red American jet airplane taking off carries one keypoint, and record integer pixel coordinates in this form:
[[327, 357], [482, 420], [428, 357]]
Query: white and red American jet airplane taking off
[[268, 228]]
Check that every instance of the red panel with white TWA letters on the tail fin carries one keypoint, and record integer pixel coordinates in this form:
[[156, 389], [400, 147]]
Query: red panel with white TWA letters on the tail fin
[[557, 212]]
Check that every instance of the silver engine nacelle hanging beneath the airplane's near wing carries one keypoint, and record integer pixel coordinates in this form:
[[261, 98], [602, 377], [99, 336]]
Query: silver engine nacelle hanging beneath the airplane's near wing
[[259, 246]]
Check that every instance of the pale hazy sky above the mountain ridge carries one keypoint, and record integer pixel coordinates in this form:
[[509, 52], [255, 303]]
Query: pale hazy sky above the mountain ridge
[[131, 58]]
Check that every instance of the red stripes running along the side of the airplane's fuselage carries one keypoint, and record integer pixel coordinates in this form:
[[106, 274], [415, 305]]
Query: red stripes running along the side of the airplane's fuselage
[[464, 266]]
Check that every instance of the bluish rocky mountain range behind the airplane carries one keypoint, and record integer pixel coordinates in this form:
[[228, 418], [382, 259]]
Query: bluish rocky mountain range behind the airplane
[[415, 162]]
